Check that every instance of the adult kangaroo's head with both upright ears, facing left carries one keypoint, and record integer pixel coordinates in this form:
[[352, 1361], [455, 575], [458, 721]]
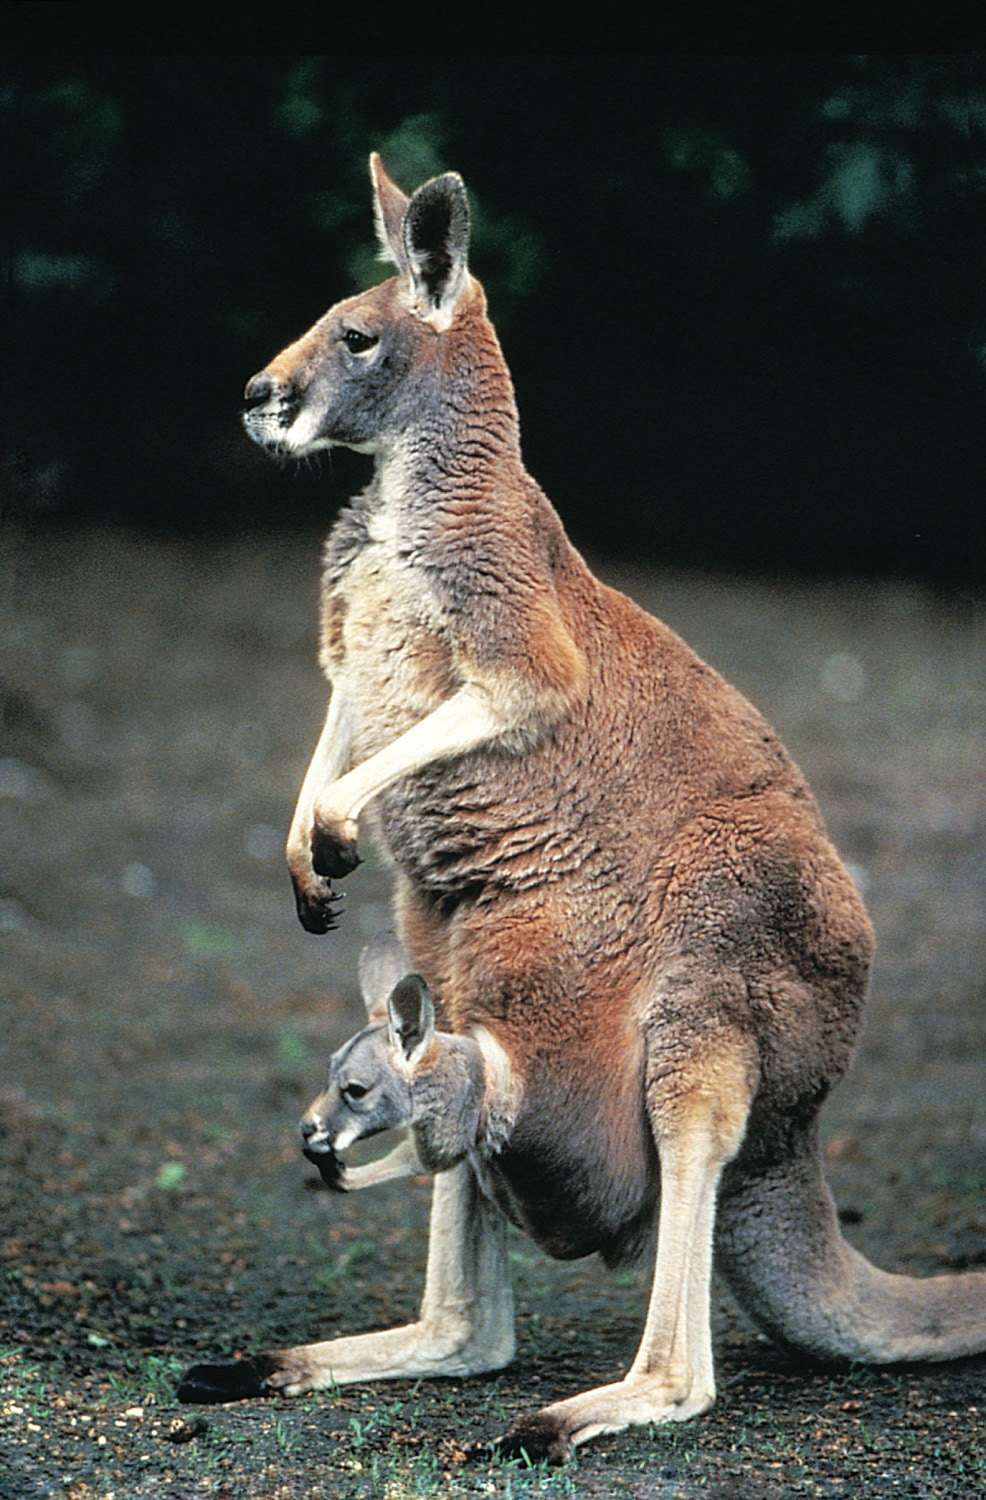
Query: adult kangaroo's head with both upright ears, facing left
[[362, 376]]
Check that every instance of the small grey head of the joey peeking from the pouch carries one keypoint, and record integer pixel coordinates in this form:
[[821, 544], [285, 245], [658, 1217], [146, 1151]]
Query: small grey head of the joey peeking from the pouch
[[371, 1079]]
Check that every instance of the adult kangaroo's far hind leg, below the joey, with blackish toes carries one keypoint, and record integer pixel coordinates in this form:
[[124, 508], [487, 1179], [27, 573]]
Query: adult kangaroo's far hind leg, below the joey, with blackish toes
[[464, 1328]]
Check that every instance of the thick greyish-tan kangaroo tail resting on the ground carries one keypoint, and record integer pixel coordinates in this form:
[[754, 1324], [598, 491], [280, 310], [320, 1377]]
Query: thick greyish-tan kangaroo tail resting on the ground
[[780, 1247]]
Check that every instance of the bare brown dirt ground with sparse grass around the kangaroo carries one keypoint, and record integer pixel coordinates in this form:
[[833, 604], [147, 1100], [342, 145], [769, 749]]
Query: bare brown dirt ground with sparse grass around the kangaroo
[[166, 1021]]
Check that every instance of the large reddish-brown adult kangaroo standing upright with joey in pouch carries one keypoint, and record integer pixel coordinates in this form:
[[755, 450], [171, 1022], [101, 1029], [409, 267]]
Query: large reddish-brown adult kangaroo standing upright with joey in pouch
[[609, 871]]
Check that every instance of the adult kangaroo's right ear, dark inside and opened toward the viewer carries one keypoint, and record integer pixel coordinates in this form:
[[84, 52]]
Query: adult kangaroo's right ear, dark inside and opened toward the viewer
[[436, 245]]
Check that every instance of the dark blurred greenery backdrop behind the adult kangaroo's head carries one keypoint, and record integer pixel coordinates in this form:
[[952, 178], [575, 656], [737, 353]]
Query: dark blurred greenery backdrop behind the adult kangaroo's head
[[744, 298]]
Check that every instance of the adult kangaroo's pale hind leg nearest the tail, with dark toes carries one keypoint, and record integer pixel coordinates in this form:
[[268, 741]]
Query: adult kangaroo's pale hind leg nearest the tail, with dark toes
[[699, 1108]]
